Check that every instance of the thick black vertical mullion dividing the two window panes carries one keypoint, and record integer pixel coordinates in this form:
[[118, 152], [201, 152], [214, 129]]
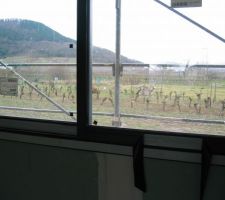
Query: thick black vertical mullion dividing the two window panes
[[83, 64]]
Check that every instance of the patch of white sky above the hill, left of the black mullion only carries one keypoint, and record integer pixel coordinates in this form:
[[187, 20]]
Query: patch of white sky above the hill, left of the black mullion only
[[60, 15]]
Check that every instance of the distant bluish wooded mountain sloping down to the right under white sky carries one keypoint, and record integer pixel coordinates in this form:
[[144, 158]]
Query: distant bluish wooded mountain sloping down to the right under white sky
[[29, 38]]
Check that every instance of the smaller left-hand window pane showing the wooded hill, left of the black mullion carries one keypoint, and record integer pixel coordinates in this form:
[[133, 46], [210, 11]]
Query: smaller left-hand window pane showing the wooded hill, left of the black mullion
[[38, 55]]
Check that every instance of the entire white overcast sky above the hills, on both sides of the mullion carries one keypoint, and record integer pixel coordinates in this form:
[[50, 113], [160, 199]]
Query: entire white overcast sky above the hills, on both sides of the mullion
[[150, 33]]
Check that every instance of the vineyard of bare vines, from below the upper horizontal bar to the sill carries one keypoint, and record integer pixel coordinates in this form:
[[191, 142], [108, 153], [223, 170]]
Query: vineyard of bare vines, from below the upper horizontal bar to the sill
[[189, 100]]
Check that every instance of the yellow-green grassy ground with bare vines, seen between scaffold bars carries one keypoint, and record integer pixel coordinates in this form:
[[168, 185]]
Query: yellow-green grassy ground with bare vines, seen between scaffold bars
[[159, 102]]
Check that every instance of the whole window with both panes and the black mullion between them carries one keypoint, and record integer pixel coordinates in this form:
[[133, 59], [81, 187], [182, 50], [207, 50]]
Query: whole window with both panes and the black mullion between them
[[152, 67]]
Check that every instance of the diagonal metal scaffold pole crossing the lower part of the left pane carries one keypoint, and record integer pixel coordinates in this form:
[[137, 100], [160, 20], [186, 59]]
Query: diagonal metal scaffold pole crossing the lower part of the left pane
[[38, 91]]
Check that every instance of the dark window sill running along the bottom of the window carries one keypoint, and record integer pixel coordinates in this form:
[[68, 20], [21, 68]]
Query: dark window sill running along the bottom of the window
[[158, 145]]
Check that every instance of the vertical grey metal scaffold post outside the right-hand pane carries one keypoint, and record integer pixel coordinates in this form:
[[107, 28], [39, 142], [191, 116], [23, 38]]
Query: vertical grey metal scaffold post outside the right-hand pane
[[116, 121]]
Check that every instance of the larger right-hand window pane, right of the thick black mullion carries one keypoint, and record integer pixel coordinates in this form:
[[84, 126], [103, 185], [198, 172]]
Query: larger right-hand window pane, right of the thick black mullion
[[159, 68]]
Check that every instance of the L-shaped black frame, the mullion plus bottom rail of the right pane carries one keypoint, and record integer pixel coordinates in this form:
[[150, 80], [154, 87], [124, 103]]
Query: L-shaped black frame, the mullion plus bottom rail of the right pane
[[90, 132]]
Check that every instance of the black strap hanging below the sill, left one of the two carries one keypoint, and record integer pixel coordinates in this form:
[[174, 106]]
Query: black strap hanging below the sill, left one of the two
[[138, 164]]
